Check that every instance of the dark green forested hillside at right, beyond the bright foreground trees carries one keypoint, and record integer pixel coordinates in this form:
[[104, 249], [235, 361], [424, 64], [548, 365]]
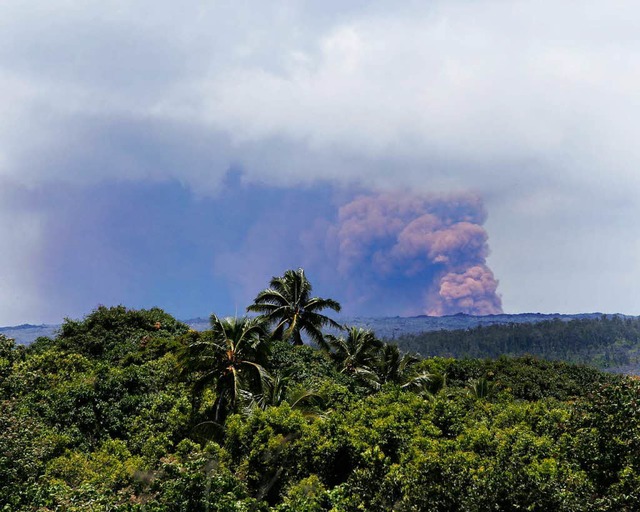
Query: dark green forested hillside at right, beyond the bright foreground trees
[[608, 342]]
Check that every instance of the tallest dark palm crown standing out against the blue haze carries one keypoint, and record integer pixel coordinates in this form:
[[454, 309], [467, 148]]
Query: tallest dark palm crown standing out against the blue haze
[[288, 304]]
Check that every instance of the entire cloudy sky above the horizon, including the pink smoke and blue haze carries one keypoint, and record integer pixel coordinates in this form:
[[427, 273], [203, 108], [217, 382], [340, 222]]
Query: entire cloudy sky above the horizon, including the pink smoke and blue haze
[[414, 157]]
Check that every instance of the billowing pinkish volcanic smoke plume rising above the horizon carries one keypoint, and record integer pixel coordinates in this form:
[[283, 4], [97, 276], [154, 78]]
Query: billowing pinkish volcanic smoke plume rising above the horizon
[[416, 255]]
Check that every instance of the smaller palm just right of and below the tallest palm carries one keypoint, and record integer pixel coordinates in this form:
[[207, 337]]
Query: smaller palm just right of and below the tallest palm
[[356, 353]]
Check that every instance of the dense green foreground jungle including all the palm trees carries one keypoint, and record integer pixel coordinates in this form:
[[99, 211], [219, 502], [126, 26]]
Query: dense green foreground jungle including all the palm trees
[[130, 410]]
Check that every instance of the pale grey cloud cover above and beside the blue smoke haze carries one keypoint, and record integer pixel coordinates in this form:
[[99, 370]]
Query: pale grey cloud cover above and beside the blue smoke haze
[[532, 105]]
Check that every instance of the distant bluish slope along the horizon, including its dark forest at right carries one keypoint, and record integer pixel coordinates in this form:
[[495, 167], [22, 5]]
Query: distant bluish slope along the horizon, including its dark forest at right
[[561, 337]]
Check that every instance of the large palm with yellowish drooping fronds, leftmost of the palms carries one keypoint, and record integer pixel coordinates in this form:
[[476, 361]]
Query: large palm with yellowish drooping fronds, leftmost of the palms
[[229, 357]]
